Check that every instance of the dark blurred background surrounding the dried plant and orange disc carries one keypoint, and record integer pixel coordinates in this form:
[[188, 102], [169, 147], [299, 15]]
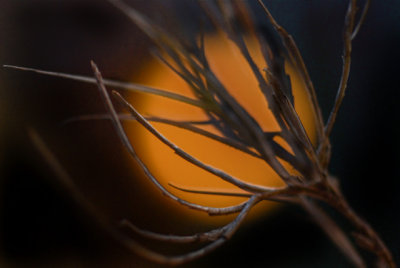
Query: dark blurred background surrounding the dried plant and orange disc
[[40, 225]]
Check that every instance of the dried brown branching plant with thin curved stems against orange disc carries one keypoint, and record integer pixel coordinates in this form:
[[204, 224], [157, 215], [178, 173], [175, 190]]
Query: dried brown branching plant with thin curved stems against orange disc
[[311, 184]]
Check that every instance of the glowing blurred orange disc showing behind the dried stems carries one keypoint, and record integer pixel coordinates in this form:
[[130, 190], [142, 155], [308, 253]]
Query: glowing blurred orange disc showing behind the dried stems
[[233, 71]]
